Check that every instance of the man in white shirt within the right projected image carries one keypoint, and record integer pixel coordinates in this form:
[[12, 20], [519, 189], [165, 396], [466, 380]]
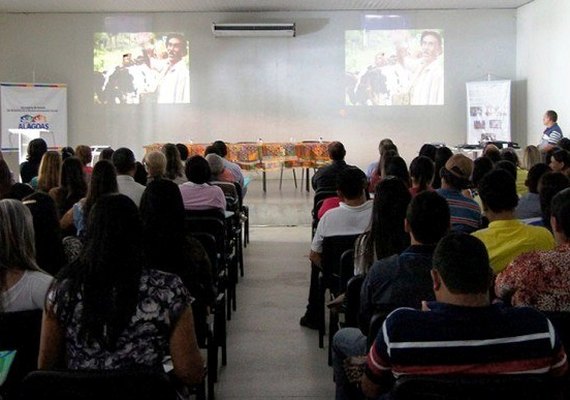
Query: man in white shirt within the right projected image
[[427, 84]]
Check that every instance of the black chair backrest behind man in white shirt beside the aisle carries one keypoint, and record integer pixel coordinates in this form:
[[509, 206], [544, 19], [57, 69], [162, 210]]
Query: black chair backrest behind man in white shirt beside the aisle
[[333, 247]]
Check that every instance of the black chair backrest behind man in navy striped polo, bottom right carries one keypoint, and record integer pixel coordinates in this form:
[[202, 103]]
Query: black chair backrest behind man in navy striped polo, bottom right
[[469, 387]]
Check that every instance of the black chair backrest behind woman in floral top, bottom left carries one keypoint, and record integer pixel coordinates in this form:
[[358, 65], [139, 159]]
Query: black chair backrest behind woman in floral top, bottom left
[[98, 385]]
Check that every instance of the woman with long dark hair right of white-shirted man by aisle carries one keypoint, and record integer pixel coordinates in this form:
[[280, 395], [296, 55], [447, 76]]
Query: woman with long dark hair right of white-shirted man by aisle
[[386, 235]]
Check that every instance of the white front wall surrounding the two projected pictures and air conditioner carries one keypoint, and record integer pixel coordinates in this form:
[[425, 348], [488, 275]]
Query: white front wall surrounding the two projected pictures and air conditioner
[[245, 88]]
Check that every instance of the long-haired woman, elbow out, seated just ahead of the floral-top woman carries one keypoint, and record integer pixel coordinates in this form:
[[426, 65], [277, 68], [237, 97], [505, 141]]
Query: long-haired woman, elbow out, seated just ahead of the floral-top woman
[[103, 181]]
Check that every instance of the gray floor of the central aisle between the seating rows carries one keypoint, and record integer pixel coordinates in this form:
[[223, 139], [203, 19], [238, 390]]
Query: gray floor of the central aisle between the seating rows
[[269, 355]]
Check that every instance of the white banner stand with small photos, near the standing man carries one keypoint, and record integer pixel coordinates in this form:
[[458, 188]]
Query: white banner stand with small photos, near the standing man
[[488, 111]]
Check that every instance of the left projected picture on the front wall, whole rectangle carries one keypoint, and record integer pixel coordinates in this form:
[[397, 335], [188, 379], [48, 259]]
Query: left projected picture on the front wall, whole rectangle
[[142, 67]]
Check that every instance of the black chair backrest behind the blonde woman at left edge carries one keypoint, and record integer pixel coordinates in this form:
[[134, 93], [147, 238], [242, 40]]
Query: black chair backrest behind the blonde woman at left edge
[[20, 331]]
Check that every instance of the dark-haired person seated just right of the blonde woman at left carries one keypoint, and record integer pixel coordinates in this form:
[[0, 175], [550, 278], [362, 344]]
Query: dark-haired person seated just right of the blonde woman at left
[[47, 234]]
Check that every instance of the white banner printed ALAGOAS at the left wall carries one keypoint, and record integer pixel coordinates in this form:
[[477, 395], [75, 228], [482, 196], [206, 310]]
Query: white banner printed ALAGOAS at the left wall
[[29, 111]]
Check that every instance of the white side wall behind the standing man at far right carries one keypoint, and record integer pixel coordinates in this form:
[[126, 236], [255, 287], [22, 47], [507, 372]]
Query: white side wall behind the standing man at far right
[[542, 63]]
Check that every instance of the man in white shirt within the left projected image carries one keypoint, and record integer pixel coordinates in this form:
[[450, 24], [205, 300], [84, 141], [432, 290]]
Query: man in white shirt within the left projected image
[[174, 81]]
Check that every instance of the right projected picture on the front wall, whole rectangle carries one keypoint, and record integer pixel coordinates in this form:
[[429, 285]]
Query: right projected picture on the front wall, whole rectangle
[[394, 67]]
